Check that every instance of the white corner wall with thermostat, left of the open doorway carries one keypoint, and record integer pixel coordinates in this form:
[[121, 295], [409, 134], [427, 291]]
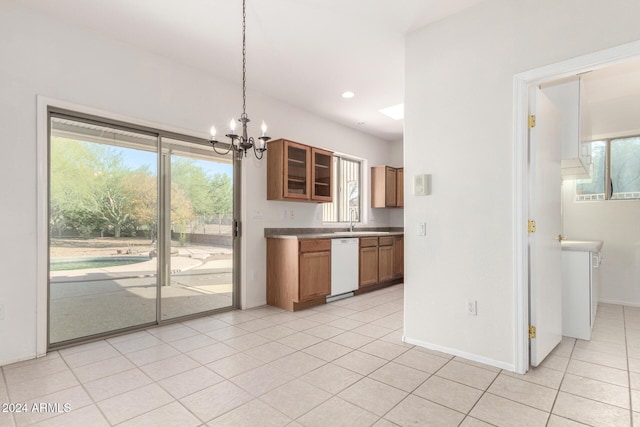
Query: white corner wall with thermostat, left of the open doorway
[[459, 128]]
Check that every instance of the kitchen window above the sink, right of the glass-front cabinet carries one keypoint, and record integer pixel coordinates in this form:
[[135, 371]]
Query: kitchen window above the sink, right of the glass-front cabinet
[[346, 203]]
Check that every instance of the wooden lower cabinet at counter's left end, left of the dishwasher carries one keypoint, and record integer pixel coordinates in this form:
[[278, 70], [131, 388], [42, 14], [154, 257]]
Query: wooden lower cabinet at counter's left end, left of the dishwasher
[[298, 272]]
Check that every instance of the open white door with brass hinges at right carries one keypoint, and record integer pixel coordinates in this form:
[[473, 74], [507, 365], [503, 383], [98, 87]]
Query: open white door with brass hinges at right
[[545, 258]]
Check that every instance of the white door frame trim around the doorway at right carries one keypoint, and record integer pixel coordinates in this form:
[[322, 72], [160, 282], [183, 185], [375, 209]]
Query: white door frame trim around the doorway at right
[[521, 84]]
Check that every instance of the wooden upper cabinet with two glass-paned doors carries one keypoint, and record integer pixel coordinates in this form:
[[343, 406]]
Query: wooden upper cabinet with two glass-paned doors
[[298, 172]]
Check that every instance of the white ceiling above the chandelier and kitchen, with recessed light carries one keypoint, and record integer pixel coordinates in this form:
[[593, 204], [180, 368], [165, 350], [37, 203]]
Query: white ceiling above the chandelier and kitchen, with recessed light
[[303, 52]]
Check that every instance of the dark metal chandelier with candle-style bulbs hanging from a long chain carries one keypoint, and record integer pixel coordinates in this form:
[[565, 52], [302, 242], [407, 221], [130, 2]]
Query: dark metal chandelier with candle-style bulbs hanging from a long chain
[[242, 143]]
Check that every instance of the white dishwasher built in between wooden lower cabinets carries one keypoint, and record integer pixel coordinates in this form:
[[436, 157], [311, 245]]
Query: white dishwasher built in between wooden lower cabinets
[[344, 267]]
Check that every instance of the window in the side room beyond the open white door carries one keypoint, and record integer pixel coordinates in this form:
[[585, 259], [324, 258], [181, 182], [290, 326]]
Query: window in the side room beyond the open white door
[[616, 171]]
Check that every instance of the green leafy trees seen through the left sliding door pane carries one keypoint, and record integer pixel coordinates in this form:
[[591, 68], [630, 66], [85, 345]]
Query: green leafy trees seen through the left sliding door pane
[[93, 190]]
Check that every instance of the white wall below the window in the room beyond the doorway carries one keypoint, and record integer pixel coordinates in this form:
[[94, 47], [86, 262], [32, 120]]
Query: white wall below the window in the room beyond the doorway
[[615, 222]]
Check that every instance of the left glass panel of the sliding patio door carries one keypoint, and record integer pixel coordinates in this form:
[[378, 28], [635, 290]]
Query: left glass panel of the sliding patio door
[[103, 220]]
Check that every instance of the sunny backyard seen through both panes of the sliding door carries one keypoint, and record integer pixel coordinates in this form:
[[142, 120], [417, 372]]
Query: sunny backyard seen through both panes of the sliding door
[[106, 244]]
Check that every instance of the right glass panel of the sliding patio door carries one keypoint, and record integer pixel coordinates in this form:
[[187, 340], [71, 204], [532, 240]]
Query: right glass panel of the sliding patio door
[[200, 249]]
